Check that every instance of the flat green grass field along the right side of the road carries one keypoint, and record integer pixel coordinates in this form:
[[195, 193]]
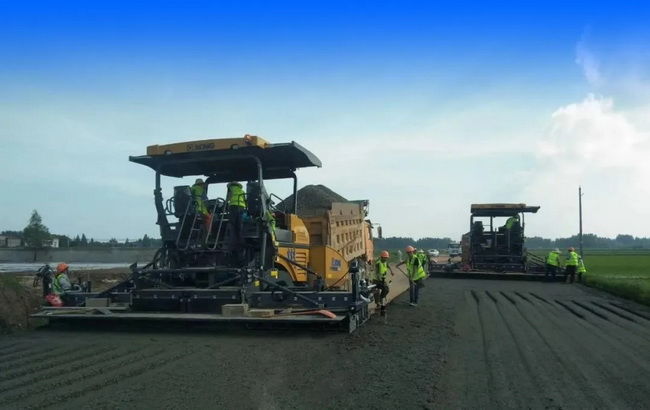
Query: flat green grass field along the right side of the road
[[625, 272]]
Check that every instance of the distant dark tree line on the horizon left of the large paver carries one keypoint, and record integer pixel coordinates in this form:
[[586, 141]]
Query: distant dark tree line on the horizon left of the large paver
[[35, 233]]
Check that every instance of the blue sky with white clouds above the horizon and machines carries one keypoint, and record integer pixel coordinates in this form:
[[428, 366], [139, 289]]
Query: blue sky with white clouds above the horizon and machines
[[423, 109]]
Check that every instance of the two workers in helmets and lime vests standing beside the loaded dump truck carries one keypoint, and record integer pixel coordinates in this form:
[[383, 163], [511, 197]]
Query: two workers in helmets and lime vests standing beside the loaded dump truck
[[415, 272]]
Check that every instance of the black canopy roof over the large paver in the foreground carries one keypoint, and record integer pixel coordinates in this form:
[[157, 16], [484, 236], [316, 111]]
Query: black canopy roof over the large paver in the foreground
[[278, 161]]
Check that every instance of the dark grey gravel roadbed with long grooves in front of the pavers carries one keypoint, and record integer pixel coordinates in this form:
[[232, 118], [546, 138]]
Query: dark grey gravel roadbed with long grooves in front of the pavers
[[469, 344]]
